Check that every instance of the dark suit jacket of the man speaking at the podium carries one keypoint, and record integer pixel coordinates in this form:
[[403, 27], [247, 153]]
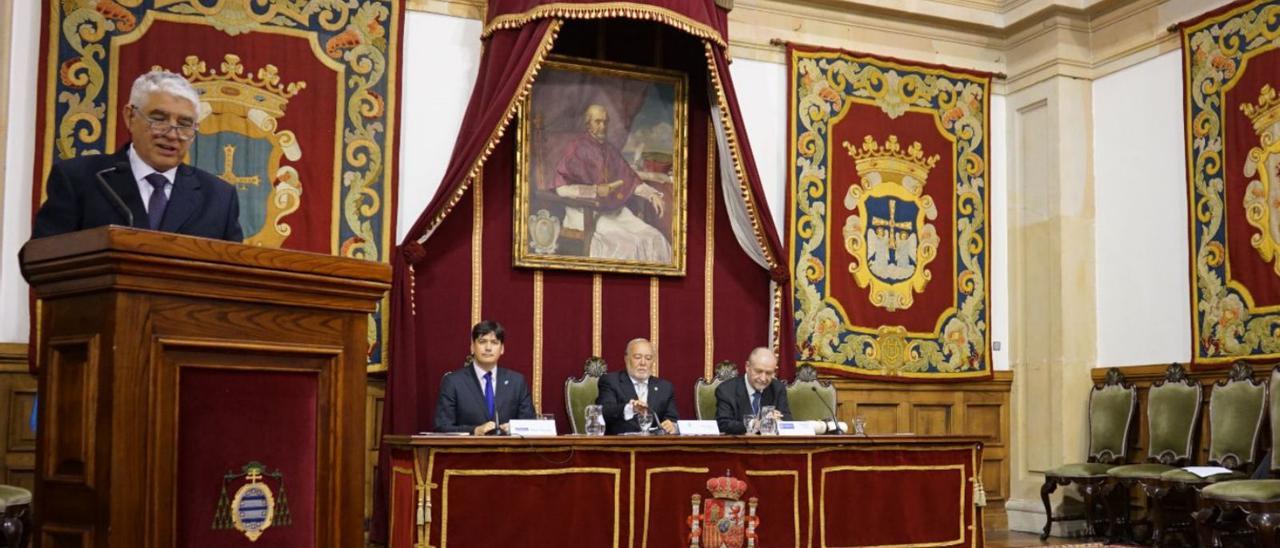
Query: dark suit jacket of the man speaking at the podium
[[200, 204]]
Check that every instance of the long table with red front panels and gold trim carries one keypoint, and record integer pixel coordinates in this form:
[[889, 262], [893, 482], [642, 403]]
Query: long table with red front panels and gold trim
[[637, 491]]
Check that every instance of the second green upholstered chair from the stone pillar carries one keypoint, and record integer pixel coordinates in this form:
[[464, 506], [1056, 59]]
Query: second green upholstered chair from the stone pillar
[[1173, 417]]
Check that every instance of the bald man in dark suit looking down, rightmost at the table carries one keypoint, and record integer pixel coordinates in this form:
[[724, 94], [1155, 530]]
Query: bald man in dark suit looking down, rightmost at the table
[[758, 389]]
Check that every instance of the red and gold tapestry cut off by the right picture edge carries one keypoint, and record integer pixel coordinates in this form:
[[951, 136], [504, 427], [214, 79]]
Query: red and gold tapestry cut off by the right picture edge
[[1232, 77]]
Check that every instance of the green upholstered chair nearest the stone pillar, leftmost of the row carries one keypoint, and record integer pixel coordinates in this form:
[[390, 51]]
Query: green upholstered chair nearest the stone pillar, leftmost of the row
[[1113, 407]]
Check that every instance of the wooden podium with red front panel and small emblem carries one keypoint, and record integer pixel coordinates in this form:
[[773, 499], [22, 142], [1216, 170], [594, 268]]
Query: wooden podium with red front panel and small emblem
[[193, 391]]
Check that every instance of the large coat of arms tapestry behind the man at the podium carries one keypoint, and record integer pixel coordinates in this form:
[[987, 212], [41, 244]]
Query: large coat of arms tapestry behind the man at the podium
[[299, 108]]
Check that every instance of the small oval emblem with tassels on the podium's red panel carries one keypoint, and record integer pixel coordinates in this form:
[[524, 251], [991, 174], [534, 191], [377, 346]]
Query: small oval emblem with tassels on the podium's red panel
[[254, 509]]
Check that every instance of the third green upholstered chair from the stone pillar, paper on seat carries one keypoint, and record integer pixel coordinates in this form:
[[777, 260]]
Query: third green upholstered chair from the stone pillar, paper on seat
[[1237, 408]]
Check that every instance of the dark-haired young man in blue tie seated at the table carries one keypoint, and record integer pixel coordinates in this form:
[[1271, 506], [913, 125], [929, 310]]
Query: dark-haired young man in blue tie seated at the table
[[482, 396]]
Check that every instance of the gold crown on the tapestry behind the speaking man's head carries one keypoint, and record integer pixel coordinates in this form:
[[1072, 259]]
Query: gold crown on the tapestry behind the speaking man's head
[[228, 90]]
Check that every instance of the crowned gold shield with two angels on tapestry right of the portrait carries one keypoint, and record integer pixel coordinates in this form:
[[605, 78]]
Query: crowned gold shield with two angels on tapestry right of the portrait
[[889, 234]]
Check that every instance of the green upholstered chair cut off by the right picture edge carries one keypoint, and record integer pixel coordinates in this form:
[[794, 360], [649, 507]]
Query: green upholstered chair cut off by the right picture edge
[[1247, 504]]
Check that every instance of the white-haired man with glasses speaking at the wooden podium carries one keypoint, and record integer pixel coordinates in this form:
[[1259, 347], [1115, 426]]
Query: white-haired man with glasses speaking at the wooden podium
[[145, 184]]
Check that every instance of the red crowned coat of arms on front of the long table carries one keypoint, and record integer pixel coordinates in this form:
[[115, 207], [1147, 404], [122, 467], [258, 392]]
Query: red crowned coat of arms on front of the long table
[[724, 520]]
